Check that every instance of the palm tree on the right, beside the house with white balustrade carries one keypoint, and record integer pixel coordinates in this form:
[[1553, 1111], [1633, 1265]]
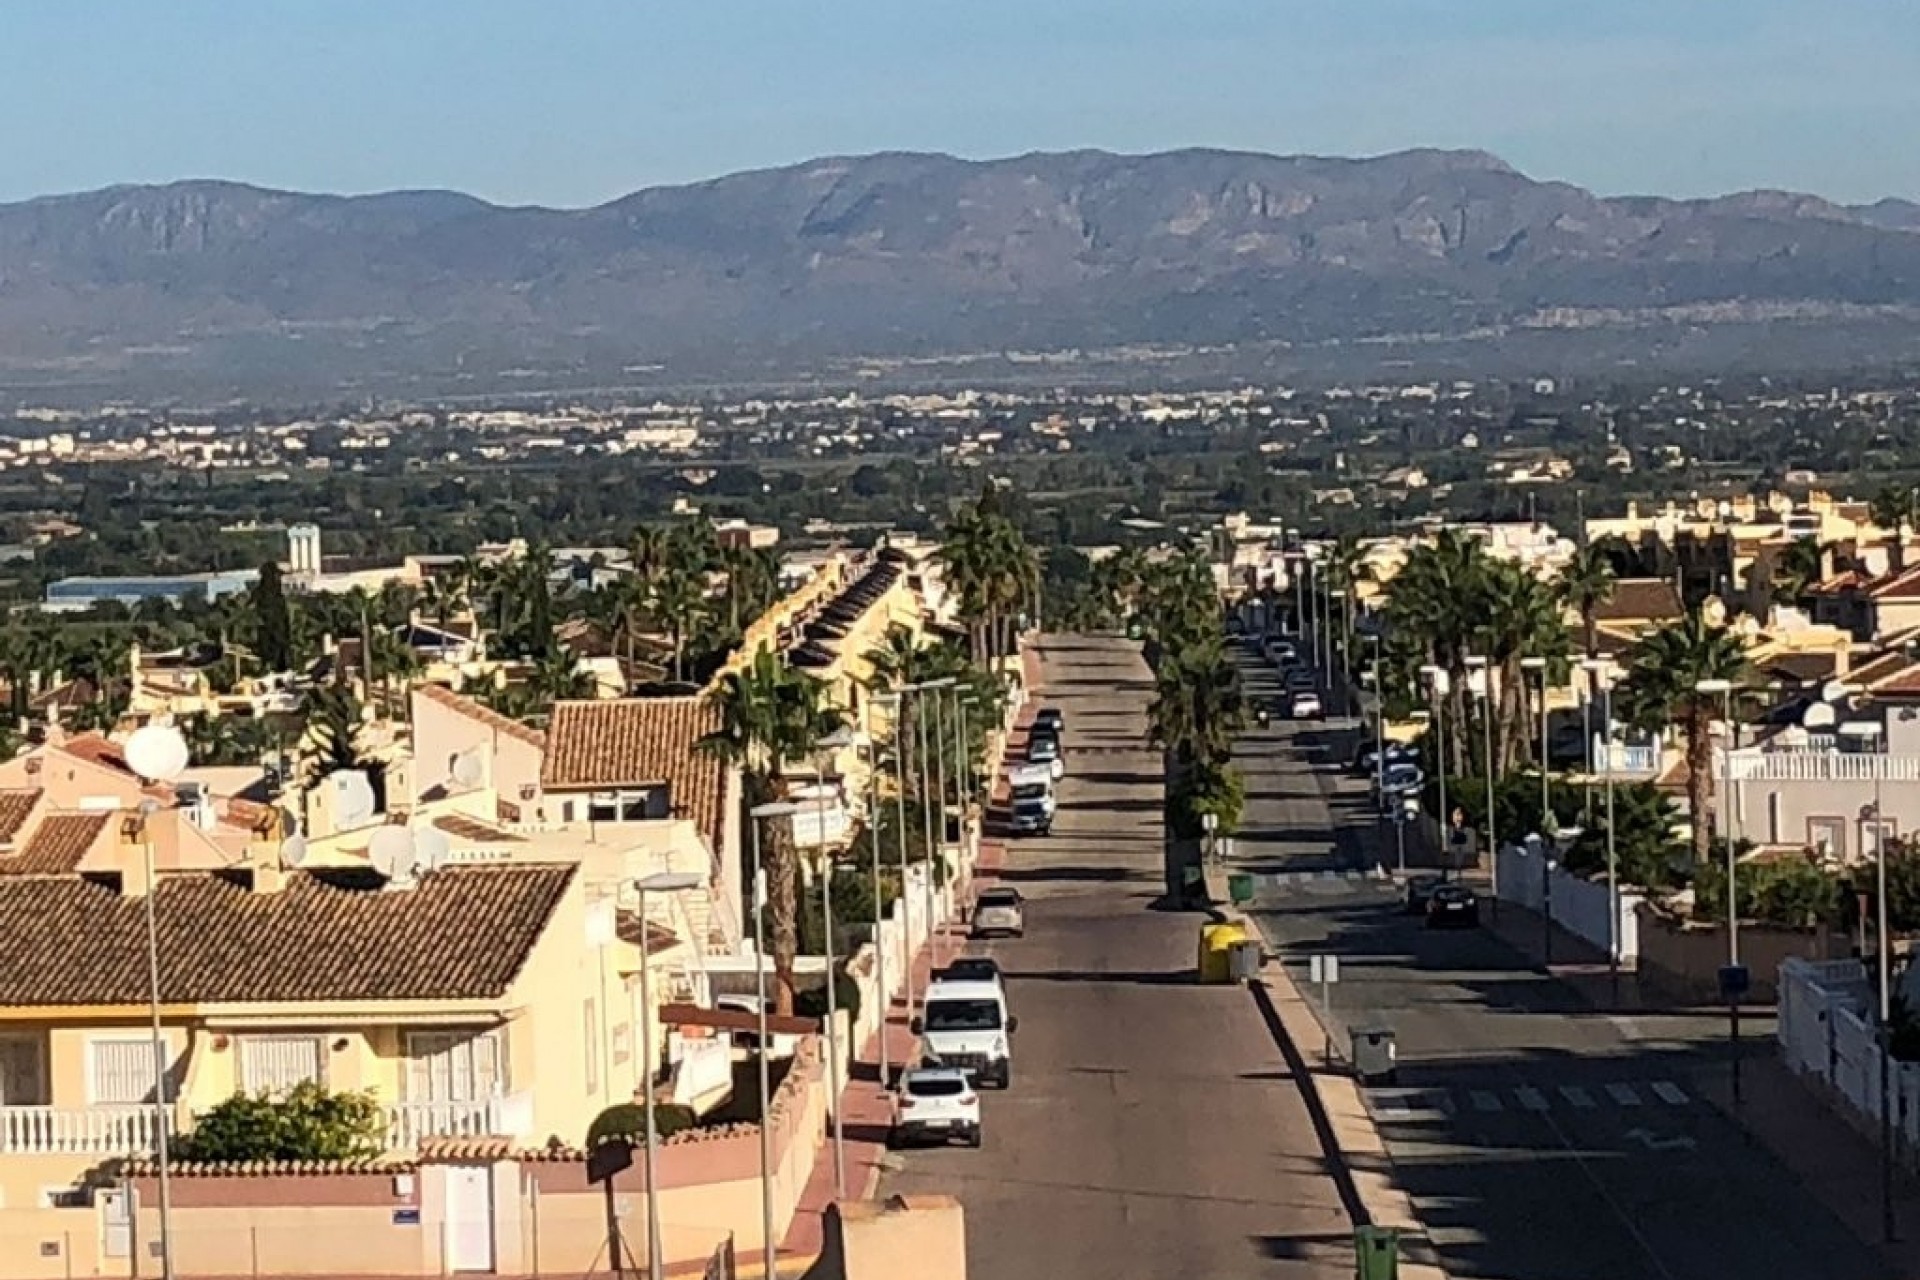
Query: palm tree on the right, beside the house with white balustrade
[[1662, 690]]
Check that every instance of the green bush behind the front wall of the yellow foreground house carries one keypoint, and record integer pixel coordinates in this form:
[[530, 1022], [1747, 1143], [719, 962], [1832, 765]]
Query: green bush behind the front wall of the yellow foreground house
[[306, 1124]]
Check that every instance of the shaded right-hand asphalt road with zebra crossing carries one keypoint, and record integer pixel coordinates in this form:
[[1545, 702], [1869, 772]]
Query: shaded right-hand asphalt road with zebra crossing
[[1541, 1141]]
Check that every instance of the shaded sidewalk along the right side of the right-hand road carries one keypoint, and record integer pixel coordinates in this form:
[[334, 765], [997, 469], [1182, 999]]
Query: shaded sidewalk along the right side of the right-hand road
[[1785, 1114]]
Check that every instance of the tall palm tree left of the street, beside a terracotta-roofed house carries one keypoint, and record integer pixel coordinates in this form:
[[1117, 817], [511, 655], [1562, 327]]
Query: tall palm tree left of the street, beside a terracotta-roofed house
[[771, 717]]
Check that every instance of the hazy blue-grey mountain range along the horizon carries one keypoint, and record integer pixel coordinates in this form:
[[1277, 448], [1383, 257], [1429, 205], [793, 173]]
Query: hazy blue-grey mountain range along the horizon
[[913, 256]]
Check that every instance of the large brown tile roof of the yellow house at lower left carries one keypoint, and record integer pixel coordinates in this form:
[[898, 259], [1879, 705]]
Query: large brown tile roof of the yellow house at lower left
[[464, 934]]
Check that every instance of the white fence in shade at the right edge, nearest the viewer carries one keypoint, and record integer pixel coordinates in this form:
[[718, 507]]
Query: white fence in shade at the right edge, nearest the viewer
[[1827, 1033]]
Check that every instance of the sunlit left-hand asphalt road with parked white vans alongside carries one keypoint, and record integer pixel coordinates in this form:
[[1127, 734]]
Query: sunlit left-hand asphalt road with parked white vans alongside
[[1151, 1129]]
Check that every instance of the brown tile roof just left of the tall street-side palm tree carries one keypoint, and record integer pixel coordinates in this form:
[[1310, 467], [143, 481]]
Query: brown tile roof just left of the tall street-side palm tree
[[636, 744]]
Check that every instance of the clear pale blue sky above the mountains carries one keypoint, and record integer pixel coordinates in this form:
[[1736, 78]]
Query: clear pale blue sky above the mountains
[[571, 103]]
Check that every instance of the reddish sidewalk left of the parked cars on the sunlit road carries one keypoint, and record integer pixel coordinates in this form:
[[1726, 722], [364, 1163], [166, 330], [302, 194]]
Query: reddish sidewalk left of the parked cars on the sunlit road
[[867, 1108]]
